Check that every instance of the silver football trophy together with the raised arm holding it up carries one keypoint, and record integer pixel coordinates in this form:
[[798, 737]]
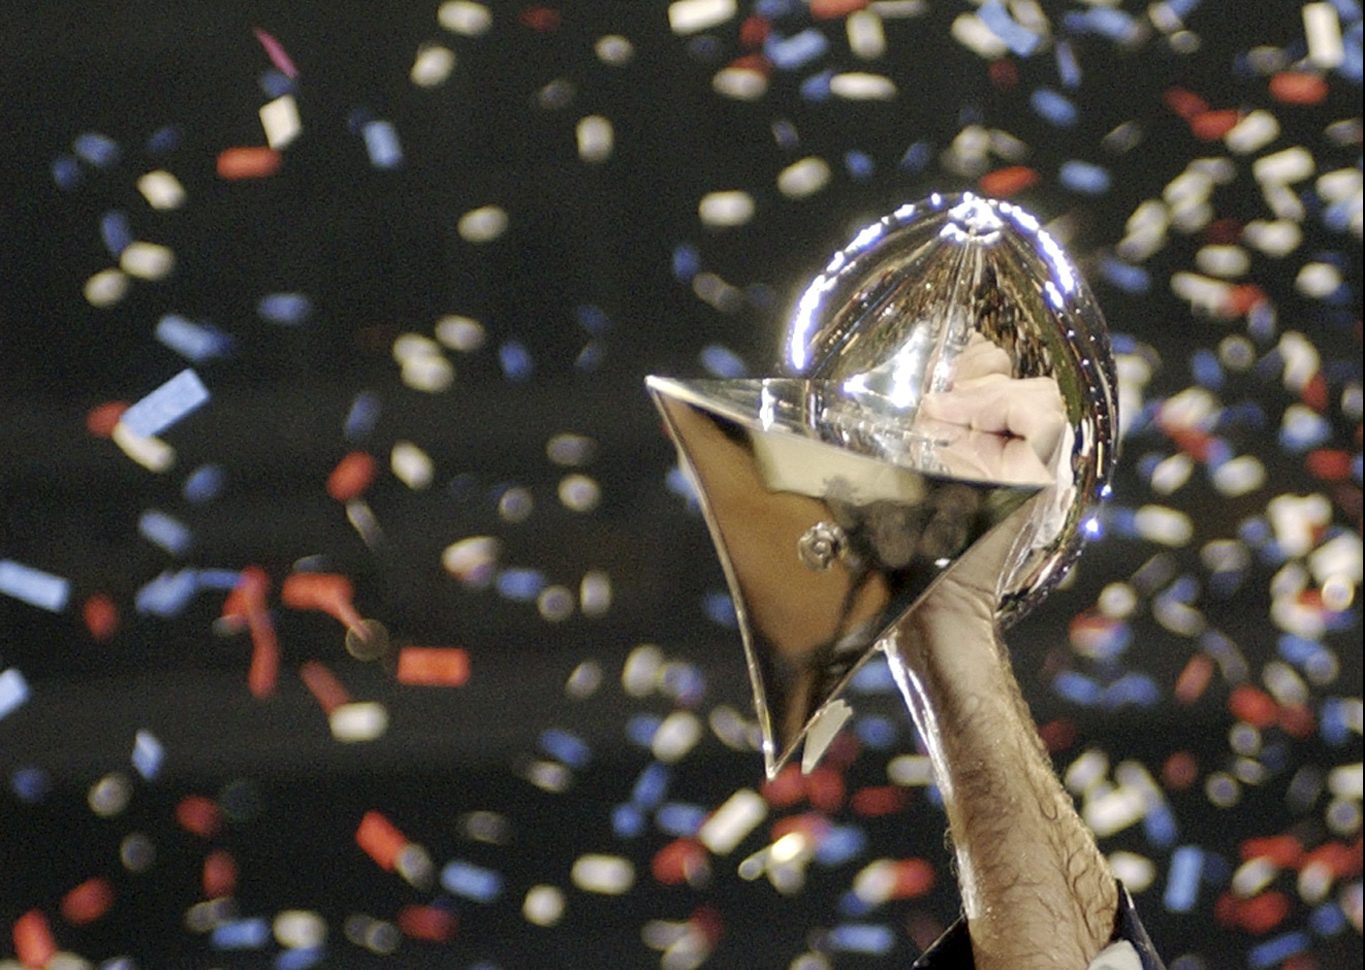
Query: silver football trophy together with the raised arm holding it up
[[917, 477]]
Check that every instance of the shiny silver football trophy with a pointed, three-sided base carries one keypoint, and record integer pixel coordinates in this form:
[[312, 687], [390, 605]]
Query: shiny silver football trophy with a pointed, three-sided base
[[945, 370]]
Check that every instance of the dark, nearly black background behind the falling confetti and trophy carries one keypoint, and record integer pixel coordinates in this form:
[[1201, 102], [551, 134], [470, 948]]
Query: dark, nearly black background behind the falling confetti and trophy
[[379, 254]]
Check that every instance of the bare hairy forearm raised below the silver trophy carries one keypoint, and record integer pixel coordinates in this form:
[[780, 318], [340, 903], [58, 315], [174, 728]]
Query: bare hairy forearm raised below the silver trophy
[[1037, 892]]
